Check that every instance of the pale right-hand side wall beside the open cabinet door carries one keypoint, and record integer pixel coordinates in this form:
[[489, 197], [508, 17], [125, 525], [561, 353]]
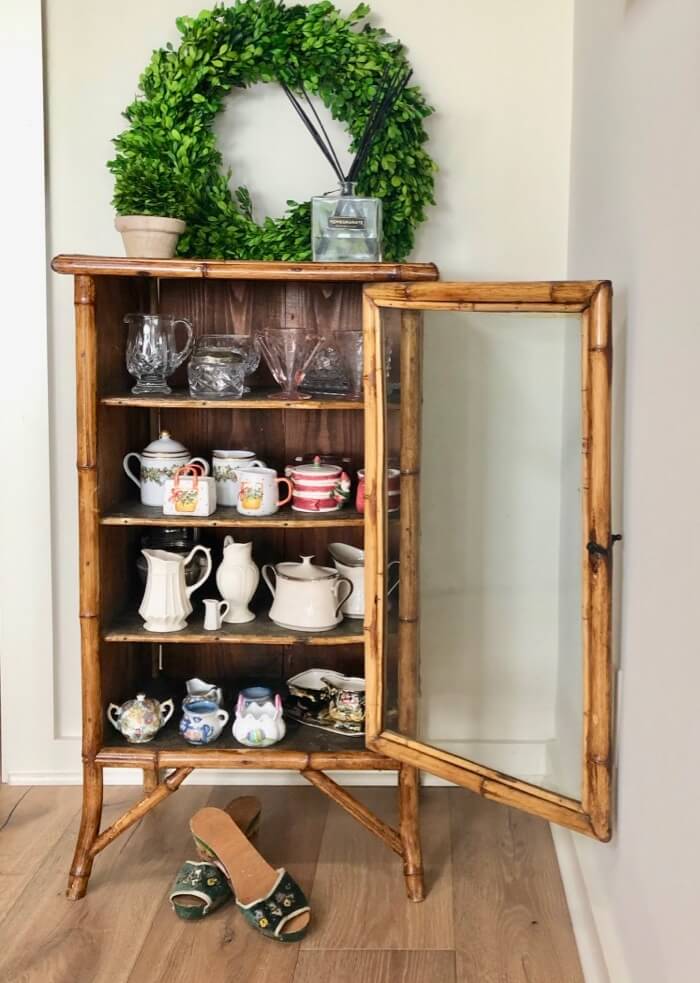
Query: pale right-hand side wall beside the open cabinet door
[[635, 214]]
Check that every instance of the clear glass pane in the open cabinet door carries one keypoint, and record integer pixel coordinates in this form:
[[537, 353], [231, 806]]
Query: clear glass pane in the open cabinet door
[[492, 614]]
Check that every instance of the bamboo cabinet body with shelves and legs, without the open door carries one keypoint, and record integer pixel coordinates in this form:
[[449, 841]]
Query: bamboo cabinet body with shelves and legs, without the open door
[[110, 420]]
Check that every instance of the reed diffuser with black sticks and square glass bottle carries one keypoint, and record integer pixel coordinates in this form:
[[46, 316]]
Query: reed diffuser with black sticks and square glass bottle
[[346, 228]]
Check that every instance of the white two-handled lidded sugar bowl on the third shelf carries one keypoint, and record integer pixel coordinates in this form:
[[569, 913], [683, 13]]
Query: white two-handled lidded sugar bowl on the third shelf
[[306, 597]]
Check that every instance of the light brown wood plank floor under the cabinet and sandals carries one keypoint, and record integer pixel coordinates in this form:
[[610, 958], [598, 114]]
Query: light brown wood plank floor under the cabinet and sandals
[[495, 911]]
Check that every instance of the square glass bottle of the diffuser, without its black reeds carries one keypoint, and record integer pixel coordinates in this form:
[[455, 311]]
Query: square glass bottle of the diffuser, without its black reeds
[[346, 228]]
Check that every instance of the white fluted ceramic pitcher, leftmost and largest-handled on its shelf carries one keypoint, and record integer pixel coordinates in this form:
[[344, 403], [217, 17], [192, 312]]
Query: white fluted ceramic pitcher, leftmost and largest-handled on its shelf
[[166, 602]]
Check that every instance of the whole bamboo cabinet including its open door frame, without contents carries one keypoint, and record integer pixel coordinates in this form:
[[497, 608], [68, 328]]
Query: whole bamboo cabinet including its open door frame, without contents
[[111, 420]]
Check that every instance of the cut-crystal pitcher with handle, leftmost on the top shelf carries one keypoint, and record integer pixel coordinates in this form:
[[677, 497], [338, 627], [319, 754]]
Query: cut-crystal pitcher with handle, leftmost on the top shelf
[[151, 350]]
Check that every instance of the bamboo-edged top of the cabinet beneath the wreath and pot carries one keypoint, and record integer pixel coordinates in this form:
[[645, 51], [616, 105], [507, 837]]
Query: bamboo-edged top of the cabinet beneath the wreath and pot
[[237, 270]]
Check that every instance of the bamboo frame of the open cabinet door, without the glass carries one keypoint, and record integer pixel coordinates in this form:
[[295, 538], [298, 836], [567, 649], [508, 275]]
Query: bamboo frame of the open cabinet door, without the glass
[[593, 300]]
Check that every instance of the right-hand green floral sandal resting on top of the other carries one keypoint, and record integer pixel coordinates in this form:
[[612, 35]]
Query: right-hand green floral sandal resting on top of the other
[[271, 900]]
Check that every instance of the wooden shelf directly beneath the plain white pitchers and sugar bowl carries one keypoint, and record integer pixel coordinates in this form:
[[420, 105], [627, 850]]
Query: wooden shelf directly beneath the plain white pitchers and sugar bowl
[[262, 631]]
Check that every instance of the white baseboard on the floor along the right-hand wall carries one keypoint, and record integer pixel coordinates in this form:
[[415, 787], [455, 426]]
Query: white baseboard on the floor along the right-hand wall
[[582, 917]]
